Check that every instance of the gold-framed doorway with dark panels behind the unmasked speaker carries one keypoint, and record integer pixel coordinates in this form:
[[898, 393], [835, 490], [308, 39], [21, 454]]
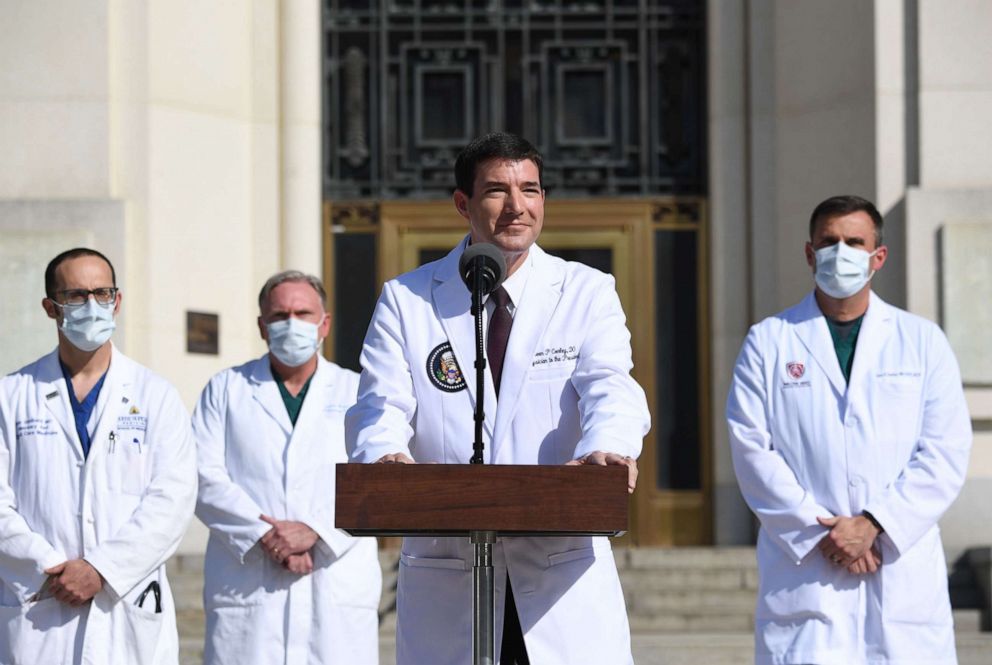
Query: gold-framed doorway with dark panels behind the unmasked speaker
[[656, 251]]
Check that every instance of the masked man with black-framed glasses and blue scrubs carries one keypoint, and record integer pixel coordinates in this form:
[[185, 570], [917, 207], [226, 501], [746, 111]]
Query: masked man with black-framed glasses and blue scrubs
[[97, 484]]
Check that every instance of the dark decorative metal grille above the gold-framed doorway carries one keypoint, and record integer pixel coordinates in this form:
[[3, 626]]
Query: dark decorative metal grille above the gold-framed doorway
[[610, 91]]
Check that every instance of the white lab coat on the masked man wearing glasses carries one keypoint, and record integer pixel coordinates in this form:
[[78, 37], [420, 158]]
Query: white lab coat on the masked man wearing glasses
[[124, 508]]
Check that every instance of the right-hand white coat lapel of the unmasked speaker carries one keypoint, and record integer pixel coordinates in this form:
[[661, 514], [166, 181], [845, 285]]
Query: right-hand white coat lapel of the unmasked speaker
[[530, 319]]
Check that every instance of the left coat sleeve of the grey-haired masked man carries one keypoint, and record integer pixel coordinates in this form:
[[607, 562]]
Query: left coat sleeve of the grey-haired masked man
[[222, 505]]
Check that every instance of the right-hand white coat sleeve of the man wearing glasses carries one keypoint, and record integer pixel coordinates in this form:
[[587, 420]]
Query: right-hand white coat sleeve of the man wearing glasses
[[153, 531]]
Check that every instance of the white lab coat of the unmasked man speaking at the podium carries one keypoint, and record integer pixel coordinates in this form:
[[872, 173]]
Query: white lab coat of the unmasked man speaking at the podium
[[566, 391]]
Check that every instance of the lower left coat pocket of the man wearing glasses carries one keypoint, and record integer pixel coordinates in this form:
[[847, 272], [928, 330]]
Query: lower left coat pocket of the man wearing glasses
[[33, 633]]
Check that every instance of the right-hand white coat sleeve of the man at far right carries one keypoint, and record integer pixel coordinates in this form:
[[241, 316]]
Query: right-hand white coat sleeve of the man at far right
[[935, 473]]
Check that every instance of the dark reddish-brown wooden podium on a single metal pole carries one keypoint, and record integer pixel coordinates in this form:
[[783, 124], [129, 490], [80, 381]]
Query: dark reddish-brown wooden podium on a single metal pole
[[482, 502]]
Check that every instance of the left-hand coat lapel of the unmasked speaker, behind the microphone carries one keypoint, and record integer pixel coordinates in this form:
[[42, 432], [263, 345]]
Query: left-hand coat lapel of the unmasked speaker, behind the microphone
[[453, 305]]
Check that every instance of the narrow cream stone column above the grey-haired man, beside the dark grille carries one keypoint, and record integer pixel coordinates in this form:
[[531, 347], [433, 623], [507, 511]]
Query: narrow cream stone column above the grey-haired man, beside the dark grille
[[300, 163]]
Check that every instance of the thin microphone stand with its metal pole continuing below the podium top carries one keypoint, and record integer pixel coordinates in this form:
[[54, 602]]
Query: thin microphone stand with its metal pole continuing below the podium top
[[483, 579]]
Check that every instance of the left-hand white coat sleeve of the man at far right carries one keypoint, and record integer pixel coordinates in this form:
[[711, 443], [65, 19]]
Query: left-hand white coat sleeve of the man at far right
[[787, 512]]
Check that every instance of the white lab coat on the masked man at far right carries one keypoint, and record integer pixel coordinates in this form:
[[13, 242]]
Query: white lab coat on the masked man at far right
[[893, 441]]
